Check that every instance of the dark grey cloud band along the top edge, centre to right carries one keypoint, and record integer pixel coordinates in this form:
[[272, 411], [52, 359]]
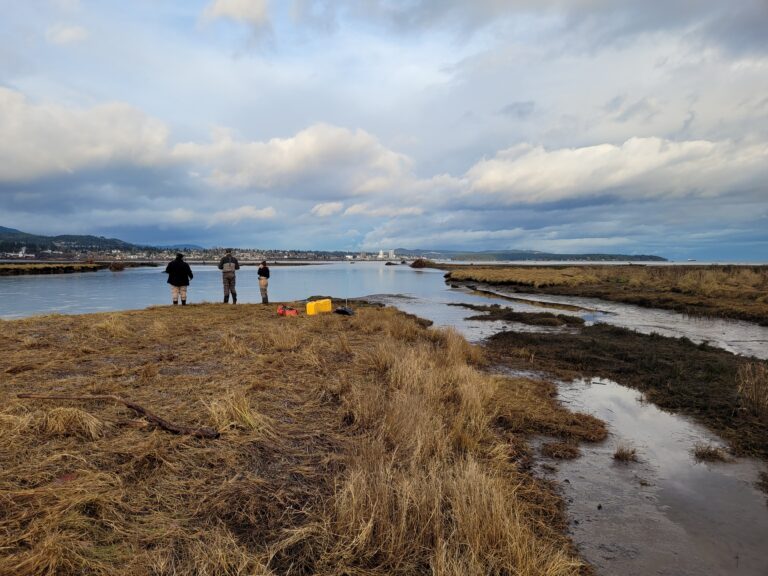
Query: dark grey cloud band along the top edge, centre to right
[[738, 27]]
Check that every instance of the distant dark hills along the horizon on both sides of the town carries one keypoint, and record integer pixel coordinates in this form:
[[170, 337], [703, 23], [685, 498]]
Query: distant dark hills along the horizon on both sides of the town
[[12, 240]]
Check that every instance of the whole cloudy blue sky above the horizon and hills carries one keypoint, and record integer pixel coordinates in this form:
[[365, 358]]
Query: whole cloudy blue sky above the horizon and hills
[[556, 125]]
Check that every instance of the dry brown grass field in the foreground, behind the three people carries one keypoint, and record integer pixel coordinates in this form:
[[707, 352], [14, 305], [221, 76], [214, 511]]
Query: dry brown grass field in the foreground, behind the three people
[[348, 446]]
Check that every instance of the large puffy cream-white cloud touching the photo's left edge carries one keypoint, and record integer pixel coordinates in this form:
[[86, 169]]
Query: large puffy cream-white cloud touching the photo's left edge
[[39, 140]]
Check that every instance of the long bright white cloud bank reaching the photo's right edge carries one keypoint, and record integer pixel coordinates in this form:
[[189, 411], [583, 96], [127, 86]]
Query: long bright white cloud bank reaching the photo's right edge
[[639, 168]]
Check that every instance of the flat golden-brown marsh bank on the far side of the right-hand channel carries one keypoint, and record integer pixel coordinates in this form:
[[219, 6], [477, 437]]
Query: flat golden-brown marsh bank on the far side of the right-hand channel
[[739, 292]]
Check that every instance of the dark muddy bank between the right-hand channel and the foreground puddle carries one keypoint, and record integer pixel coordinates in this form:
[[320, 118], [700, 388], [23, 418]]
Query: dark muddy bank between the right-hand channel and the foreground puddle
[[728, 393]]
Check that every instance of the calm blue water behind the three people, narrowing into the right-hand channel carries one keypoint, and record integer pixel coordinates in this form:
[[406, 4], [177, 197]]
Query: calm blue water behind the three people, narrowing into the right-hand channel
[[421, 292]]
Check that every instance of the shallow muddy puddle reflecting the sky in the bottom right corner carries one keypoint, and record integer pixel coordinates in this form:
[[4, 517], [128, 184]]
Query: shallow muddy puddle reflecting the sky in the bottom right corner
[[666, 514]]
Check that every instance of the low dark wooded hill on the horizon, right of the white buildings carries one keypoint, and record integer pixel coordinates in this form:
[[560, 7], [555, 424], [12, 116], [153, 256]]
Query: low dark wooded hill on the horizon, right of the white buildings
[[526, 255]]
